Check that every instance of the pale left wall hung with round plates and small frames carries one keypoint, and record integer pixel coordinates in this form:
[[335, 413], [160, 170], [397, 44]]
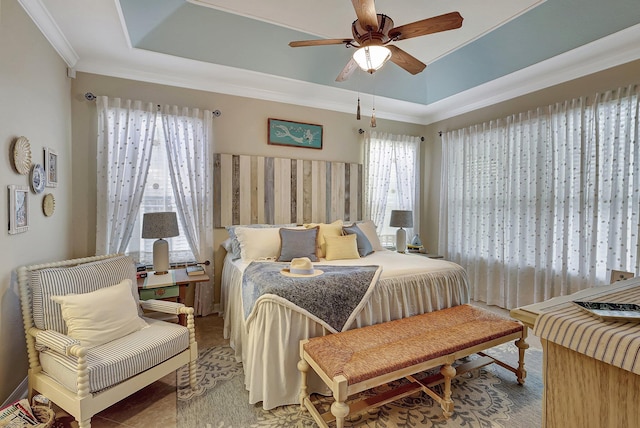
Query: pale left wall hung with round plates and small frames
[[35, 103]]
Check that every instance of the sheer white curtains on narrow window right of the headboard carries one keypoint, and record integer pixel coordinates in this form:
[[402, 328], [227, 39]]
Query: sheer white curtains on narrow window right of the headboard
[[391, 165]]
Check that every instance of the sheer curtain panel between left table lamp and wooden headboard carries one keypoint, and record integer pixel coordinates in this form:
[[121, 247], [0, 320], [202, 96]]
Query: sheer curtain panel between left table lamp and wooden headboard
[[189, 152]]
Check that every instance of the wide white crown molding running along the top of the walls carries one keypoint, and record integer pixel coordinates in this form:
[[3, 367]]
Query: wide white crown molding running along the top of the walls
[[137, 64]]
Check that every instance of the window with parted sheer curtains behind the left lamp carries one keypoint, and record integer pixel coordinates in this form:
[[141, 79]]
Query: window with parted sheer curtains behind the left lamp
[[149, 161]]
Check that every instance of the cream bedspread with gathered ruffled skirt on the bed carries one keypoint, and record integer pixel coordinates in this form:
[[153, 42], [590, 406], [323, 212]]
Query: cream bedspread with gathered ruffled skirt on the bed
[[268, 346]]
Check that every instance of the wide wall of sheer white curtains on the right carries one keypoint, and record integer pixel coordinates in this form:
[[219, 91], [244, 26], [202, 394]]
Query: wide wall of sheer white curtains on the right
[[544, 203]]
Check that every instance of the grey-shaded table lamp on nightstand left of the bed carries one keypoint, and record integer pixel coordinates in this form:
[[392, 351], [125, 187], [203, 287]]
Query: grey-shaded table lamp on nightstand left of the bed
[[160, 225]]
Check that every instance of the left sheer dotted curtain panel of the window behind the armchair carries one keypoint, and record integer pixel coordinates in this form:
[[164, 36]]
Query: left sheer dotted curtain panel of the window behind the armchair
[[125, 136]]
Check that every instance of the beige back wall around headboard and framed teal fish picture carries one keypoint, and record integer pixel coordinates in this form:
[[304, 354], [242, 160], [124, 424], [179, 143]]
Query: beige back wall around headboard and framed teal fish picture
[[241, 129]]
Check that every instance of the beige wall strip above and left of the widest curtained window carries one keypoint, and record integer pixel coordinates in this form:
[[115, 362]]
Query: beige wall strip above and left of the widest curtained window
[[586, 86]]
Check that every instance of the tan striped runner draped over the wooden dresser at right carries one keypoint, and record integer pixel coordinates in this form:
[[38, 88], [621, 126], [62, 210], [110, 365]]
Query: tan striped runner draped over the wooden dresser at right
[[612, 342]]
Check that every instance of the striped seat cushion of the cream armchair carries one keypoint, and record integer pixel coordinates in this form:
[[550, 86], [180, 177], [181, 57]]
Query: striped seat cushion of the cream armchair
[[120, 359]]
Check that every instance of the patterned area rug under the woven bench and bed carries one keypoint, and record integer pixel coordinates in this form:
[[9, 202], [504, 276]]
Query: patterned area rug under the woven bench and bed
[[487, 397]]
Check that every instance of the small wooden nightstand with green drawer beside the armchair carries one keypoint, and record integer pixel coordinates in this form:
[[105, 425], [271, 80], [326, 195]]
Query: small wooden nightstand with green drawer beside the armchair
[[175, 285]]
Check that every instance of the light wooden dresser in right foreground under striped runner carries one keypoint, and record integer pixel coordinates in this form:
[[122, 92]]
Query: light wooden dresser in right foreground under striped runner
[[581, 391]]
